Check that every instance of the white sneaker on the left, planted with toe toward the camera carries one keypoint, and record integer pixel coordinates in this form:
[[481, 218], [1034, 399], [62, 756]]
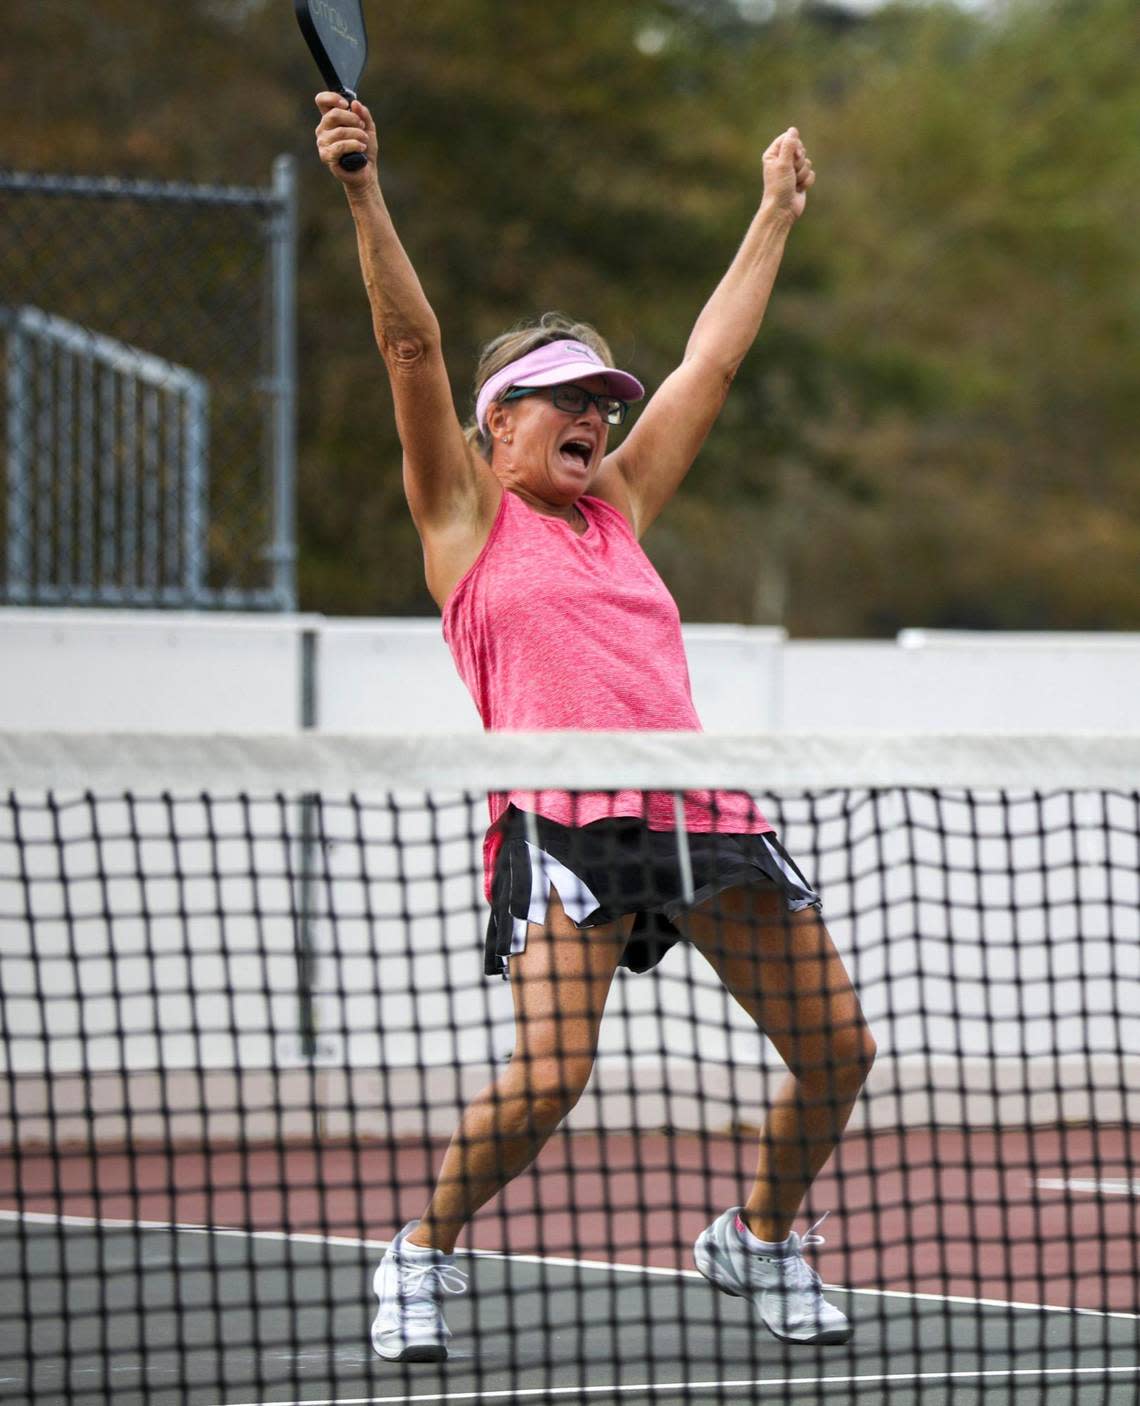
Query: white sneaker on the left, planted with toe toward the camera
[[410, 1327]]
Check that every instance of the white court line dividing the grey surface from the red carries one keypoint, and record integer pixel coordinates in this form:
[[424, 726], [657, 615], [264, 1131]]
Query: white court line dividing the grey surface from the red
[[557, 1262]]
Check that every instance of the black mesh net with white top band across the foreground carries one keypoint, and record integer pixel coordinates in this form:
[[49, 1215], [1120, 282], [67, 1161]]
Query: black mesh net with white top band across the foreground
[[244, 1009]]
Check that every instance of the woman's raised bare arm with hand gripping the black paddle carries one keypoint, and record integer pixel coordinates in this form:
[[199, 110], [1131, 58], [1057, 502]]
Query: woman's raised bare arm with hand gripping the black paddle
[[443, 479]]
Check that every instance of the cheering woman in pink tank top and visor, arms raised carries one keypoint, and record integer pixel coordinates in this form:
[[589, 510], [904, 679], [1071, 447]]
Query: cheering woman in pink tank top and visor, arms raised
[[556, 619]]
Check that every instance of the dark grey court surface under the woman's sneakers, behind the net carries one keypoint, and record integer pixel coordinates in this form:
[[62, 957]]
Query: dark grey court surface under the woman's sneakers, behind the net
[[131, 1313]]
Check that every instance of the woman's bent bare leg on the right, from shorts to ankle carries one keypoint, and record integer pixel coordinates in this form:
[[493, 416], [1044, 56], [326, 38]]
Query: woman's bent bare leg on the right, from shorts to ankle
[[784, 969]]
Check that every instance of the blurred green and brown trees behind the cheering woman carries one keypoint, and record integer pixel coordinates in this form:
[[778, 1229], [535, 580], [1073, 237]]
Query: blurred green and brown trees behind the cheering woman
[[938, 425]]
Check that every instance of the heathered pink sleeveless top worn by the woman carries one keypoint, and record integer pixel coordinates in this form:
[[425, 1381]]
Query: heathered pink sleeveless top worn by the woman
[[552, 629]]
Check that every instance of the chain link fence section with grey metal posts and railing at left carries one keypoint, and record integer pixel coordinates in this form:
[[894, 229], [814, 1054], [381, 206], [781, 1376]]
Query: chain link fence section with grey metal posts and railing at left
[[148, 380]]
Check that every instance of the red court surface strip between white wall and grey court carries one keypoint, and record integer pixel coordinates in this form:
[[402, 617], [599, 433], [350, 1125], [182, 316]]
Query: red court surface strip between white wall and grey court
[[930, 1213]]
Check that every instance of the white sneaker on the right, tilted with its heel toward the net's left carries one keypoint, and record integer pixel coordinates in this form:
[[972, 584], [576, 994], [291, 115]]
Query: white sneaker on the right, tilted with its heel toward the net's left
[[785, 1290]]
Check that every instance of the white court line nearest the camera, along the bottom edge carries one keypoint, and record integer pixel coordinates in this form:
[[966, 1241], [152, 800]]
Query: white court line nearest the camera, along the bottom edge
[[758, 1386]]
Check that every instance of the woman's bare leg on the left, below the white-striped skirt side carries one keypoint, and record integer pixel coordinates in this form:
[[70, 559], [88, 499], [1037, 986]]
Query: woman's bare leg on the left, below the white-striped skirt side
[[560, 985]]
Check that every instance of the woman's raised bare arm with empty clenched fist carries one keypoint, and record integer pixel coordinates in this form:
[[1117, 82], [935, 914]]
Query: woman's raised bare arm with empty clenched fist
[[645, 473]]
